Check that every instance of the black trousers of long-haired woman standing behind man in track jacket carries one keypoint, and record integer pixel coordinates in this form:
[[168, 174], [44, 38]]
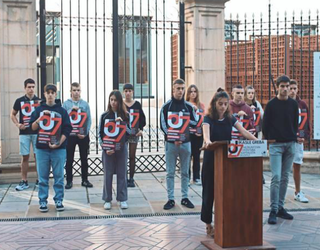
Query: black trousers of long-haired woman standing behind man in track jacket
[[196, 144]]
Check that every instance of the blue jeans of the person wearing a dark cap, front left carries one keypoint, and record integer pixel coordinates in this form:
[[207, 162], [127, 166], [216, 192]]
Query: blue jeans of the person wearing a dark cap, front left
[[47, 158]]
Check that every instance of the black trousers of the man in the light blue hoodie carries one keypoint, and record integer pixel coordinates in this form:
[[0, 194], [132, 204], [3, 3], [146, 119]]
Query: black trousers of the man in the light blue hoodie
[[84, 150]]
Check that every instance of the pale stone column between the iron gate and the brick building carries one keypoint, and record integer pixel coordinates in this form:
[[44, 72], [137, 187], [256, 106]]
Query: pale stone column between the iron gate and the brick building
[[205, 46]]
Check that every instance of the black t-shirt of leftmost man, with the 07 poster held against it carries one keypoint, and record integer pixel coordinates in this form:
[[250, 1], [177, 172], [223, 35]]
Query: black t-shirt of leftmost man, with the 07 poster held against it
[[25, 107]]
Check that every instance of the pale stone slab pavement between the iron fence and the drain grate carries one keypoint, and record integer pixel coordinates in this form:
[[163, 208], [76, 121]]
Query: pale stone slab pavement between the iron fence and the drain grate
[[148, 197]]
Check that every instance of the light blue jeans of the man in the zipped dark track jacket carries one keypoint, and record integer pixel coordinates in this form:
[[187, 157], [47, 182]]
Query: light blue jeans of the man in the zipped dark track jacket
[[172, 153]]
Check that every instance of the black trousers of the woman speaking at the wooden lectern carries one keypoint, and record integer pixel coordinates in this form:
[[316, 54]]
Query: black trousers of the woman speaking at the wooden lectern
[[207, 186]]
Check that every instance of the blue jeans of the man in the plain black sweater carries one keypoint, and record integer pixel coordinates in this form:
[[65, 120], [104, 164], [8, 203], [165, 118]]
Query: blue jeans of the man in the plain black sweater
[[281, 159]]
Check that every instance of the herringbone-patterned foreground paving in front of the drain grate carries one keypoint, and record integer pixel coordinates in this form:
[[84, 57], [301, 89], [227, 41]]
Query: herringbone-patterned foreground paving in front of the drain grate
[[165, 232]]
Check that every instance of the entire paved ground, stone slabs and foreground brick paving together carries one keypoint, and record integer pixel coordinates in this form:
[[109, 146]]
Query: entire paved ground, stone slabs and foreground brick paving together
[[29, 228]]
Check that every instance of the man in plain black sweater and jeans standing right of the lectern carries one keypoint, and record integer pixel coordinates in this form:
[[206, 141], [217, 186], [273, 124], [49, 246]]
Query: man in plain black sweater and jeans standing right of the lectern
[[280, 123]]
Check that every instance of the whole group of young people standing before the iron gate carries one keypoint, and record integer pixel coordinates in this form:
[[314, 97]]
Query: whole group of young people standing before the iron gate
[[224, 119]]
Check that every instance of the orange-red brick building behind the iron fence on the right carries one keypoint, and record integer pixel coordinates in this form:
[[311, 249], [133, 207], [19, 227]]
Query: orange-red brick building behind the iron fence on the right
[[254, 57]]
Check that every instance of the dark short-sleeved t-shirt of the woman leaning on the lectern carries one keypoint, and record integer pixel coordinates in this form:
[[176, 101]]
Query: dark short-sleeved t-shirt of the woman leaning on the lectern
[[220, 130]]
